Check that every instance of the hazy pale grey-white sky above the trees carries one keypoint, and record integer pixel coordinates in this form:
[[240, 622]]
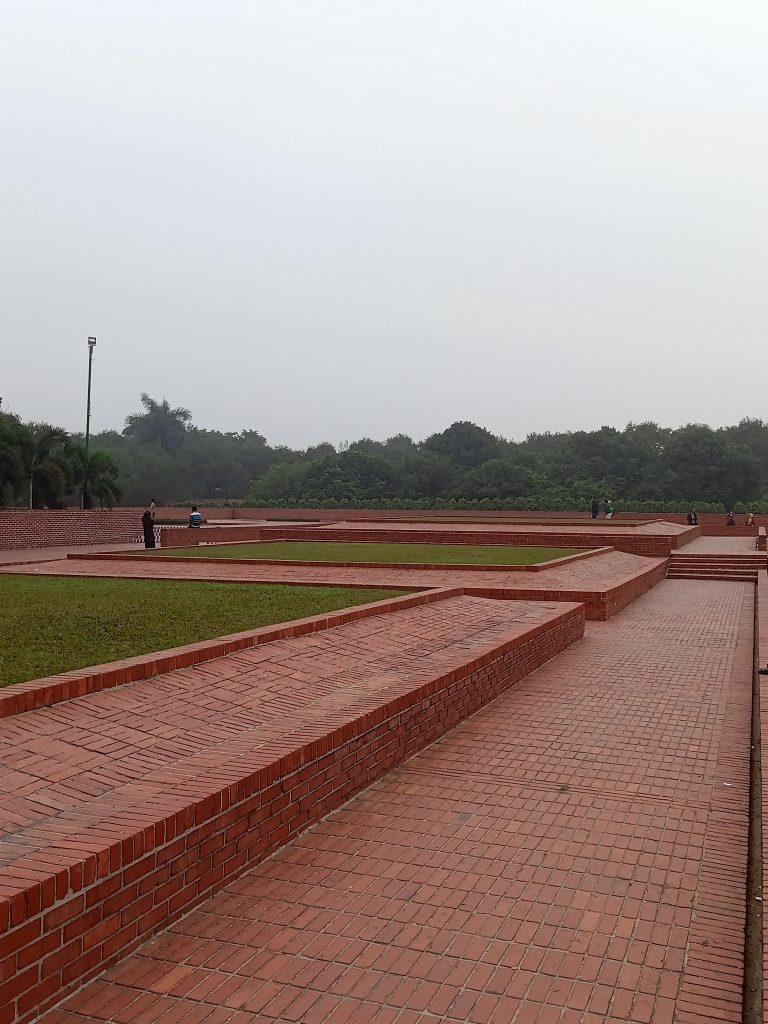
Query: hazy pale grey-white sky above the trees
[[331, 220]]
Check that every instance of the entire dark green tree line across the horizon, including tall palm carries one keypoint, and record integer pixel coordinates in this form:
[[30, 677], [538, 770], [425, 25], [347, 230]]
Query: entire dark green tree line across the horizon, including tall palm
[[161, 454]]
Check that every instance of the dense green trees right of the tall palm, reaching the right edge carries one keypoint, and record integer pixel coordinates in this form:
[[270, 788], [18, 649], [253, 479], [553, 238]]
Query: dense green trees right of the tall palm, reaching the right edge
[[645, 465]]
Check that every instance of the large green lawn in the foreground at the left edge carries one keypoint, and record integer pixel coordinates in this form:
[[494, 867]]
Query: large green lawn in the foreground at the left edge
[[51, 624]]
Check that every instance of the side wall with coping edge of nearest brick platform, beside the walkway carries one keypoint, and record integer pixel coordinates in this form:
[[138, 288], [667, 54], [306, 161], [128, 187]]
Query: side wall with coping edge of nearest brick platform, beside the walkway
[[71, 913]]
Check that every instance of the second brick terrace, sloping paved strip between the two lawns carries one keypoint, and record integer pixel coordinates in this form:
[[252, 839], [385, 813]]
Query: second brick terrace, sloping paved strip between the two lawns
[[606, 583]]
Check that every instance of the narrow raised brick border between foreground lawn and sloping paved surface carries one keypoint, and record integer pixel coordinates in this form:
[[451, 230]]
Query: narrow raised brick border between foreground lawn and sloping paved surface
[[20, 698]]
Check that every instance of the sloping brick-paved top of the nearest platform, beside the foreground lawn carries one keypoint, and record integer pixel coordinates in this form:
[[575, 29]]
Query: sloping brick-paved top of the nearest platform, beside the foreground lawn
[[74, 766]]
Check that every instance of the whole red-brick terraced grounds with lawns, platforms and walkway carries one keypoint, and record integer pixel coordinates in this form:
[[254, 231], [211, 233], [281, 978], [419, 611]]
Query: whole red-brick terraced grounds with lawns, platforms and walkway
[[396, 771]]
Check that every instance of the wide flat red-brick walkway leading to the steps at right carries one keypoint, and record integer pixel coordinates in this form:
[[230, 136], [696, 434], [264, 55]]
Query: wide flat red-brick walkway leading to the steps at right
[[574, 854]]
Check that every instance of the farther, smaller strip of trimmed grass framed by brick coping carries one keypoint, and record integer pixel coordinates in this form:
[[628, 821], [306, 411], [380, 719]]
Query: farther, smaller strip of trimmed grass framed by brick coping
[[334, 551]]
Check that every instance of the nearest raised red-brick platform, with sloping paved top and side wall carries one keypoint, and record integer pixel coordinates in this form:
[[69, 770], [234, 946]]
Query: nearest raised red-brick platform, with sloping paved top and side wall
[[124, 809]]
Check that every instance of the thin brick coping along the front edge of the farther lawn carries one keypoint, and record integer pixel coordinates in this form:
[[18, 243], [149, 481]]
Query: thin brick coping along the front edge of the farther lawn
[[535, 568]]
